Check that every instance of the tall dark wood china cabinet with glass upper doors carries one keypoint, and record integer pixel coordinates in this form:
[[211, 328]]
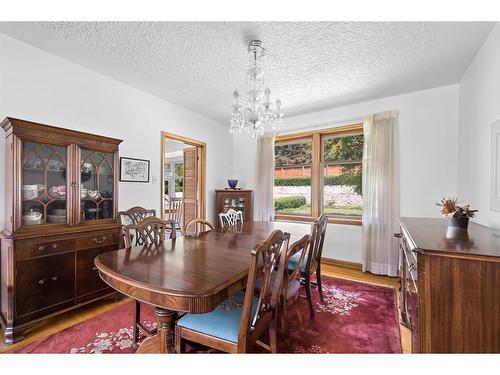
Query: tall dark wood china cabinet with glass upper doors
[[60, 213]]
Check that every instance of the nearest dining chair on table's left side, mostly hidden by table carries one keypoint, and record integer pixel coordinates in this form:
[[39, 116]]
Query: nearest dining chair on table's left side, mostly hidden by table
[[150, 231]]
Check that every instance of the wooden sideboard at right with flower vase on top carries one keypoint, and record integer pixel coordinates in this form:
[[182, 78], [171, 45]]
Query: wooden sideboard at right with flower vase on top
[[450, 286]]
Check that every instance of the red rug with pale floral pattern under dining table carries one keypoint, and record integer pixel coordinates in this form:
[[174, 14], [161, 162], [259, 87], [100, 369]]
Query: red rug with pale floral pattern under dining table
[[355, 318]]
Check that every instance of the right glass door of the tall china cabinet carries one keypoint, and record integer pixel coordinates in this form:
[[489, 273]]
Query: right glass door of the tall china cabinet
[[96, 185]]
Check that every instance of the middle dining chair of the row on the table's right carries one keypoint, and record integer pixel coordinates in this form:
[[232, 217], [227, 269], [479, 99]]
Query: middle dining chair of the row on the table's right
[[291, 285]]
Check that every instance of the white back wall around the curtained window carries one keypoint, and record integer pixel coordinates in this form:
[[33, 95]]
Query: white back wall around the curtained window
[[427, 129]]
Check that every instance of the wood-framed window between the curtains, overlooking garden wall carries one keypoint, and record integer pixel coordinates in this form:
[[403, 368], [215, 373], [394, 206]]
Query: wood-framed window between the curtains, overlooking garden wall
[[319, 172]]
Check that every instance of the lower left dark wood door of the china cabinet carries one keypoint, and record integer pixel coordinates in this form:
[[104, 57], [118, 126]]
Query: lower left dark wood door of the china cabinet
[[44, 282]]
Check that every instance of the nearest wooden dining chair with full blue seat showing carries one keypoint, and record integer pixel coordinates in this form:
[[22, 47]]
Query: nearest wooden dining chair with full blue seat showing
[[242, 319]]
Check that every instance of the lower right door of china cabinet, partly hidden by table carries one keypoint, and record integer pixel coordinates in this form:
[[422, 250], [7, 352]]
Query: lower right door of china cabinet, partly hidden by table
[[87, 275]]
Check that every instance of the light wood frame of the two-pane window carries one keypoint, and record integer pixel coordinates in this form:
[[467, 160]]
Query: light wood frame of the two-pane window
[[316, 171]]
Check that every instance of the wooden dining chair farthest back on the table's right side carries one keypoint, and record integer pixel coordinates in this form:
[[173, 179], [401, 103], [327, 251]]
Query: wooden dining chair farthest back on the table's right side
[[312, 260]]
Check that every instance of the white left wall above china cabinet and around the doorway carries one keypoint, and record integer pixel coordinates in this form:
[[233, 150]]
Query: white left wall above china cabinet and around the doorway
[[41, 87]]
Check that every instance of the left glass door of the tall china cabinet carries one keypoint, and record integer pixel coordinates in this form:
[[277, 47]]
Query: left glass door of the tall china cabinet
[[43, 184]]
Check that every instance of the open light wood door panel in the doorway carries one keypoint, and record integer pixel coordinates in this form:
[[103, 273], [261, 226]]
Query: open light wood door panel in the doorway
[[190, 156]]
